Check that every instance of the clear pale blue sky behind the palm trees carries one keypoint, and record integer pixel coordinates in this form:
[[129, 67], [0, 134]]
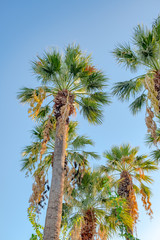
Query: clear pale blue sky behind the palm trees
[[27, 28]]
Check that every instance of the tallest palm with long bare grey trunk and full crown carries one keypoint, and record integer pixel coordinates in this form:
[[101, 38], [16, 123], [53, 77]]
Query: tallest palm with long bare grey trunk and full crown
[[67, 82]]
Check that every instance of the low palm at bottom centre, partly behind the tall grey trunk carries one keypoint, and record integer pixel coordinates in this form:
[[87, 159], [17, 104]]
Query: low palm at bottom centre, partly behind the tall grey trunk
[[92, 210]]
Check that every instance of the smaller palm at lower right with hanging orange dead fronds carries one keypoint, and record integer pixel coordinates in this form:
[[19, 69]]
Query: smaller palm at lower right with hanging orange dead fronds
[[129, 171]]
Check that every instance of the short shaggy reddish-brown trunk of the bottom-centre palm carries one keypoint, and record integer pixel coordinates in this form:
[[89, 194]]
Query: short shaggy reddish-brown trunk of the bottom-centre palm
[[88, 226]]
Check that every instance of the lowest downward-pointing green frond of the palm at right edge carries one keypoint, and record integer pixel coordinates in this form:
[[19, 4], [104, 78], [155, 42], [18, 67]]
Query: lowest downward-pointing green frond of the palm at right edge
[[137, 105]]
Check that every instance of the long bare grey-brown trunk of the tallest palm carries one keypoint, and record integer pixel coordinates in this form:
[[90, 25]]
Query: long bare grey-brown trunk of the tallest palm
[[54, 210]]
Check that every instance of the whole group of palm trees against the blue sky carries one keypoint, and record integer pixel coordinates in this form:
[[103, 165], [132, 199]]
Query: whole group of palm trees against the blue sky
[[85, 204]]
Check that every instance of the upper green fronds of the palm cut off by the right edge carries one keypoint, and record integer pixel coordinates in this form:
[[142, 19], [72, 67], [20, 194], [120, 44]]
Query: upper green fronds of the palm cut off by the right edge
[[144, 51]]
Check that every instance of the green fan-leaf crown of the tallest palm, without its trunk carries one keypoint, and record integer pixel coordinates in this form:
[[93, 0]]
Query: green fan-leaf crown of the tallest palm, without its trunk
[[72, 72]]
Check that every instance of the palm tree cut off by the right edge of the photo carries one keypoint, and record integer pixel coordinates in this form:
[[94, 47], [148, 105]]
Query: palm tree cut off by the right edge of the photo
[[145, 89]]
